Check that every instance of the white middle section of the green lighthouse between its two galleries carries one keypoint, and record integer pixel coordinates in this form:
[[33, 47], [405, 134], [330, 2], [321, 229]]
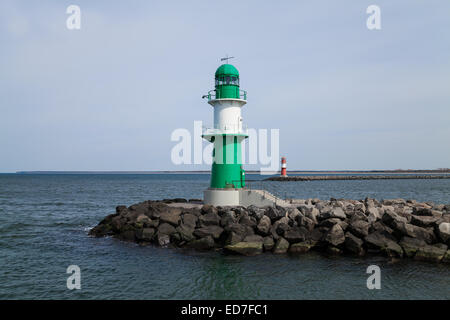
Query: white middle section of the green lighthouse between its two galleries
[[227, 115]]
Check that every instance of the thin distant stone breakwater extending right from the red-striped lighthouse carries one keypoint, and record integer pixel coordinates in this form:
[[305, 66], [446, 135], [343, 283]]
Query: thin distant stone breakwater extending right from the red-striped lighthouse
[[359, 177]]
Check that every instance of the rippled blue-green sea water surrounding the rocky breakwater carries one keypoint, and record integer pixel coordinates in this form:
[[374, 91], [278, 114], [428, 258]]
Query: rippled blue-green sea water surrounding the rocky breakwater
[[44, 223]]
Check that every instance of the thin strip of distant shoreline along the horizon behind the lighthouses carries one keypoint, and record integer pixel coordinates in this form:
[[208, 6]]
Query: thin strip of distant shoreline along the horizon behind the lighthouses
[[290, 172]]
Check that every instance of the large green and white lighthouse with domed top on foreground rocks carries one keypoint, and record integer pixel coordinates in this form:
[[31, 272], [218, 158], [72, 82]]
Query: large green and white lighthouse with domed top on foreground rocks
[[227, 134]]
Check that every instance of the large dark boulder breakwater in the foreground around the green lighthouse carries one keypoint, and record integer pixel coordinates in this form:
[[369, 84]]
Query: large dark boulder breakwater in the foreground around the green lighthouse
[[395, 228]]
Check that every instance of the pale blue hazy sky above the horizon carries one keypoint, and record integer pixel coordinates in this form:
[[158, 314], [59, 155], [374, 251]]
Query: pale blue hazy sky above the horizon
[[108, 96]]
